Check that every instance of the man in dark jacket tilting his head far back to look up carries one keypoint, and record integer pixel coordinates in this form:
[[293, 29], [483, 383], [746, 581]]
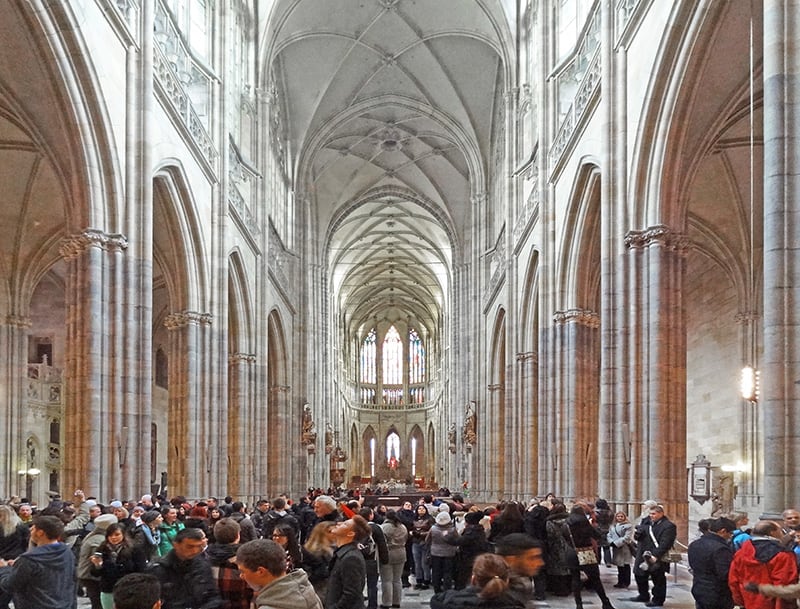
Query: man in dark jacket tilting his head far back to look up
[[348, 569]]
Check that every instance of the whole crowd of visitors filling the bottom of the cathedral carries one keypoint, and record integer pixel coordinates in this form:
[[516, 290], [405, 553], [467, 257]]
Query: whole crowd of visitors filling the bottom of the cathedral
[[337, 553]]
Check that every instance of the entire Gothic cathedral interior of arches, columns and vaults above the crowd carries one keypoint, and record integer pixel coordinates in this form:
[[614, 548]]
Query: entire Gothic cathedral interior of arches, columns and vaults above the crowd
[[508, 247]]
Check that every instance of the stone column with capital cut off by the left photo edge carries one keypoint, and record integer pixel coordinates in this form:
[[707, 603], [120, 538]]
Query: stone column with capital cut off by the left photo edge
[[13, 374]]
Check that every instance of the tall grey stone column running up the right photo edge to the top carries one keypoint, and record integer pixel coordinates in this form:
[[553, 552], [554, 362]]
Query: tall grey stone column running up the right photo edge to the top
[[780, 401]]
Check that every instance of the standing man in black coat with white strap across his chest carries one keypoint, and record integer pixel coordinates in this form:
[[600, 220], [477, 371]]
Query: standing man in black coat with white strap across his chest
[[655, 537]]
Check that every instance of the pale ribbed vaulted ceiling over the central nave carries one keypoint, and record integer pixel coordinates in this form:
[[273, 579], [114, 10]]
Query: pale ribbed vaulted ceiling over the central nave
[[388, 109]]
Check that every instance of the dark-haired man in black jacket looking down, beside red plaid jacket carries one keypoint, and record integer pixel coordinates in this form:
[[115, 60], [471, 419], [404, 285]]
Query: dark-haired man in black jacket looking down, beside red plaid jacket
[[185, 574]]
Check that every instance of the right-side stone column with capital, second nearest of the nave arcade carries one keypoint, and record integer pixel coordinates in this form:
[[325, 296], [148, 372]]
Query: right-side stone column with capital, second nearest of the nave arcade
[[577, 412]]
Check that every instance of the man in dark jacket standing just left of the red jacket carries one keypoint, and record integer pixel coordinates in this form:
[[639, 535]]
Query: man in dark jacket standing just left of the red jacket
[[710, 559]]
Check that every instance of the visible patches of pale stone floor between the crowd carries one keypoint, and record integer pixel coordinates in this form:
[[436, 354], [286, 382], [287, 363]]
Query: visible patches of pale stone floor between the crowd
[[678, 594]]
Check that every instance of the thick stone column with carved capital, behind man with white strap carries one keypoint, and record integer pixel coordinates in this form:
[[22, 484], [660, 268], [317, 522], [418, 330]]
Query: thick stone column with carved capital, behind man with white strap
[[657, 413]]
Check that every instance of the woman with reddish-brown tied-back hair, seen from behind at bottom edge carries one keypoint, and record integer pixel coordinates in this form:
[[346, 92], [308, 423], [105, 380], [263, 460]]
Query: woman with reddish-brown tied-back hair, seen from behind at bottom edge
[[489, 588]]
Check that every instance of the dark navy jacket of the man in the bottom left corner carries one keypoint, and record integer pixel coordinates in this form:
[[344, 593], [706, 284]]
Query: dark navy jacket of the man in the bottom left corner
[[42, 578]]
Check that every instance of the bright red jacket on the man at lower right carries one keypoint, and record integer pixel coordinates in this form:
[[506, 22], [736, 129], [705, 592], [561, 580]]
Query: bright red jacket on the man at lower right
[[762, 561]]
